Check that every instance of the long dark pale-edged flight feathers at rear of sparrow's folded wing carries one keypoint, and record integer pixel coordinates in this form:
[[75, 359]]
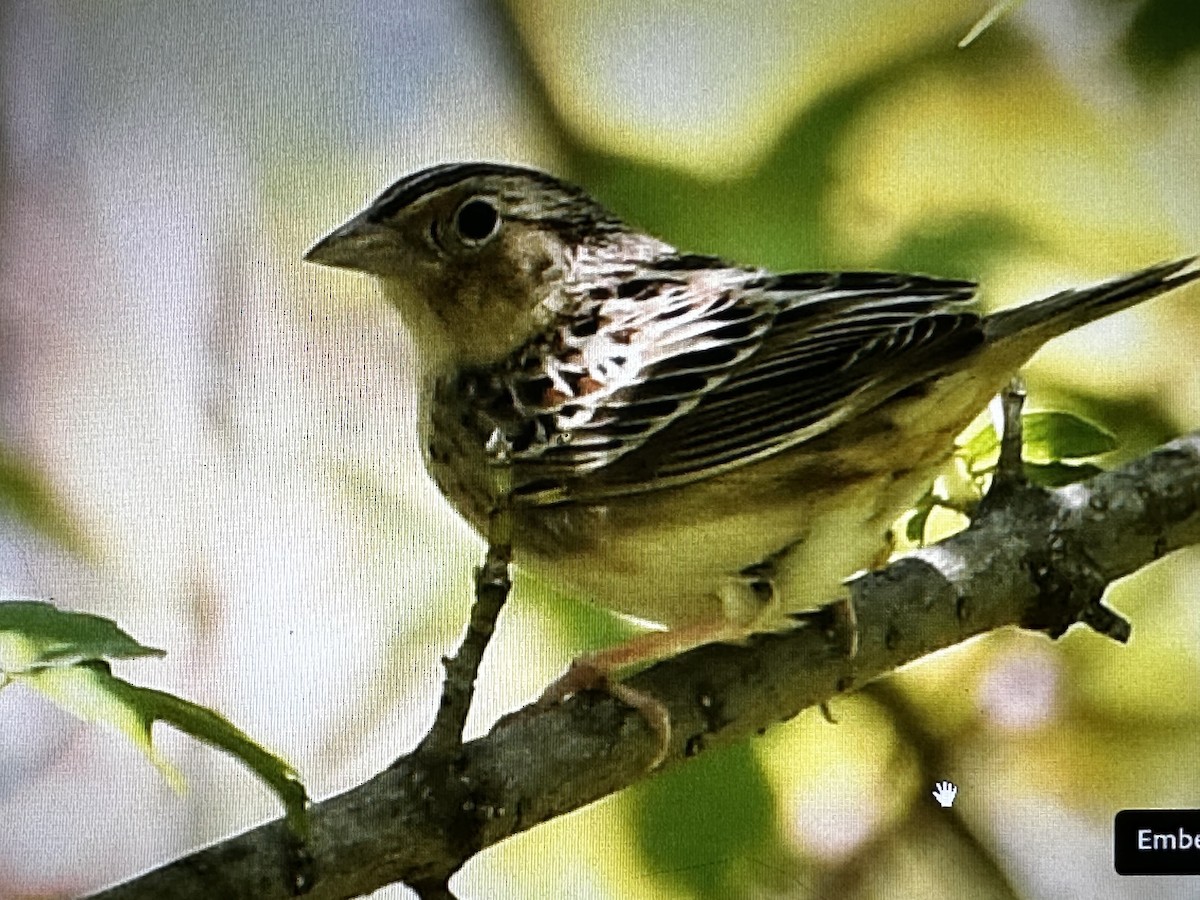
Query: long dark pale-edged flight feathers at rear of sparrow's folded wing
[[839, 345]]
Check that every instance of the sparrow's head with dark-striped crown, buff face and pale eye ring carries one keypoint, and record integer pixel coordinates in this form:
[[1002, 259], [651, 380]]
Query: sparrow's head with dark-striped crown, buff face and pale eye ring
[[478, 257]]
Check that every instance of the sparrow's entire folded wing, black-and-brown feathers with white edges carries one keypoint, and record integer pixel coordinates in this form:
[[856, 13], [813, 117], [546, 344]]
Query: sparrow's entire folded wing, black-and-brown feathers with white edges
[[682, 375]]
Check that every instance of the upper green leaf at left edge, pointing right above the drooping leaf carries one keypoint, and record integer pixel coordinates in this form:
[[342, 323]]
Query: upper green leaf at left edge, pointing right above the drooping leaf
[[35, 634]]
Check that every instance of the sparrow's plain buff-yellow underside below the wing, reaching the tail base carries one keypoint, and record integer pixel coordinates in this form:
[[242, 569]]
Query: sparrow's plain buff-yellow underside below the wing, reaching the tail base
[[817, 514]]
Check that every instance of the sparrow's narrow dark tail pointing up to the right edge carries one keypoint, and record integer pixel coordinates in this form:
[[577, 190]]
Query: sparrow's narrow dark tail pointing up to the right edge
[[1043, 320]]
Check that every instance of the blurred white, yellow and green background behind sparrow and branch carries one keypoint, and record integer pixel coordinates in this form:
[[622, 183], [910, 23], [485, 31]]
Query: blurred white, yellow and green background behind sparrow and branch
[[212, 442]]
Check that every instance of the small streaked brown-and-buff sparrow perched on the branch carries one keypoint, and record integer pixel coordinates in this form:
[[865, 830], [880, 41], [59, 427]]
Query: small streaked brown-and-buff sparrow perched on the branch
[[709, 447]]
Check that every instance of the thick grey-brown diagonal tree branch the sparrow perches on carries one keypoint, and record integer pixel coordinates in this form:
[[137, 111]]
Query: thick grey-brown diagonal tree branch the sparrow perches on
[[1033, 559]]
